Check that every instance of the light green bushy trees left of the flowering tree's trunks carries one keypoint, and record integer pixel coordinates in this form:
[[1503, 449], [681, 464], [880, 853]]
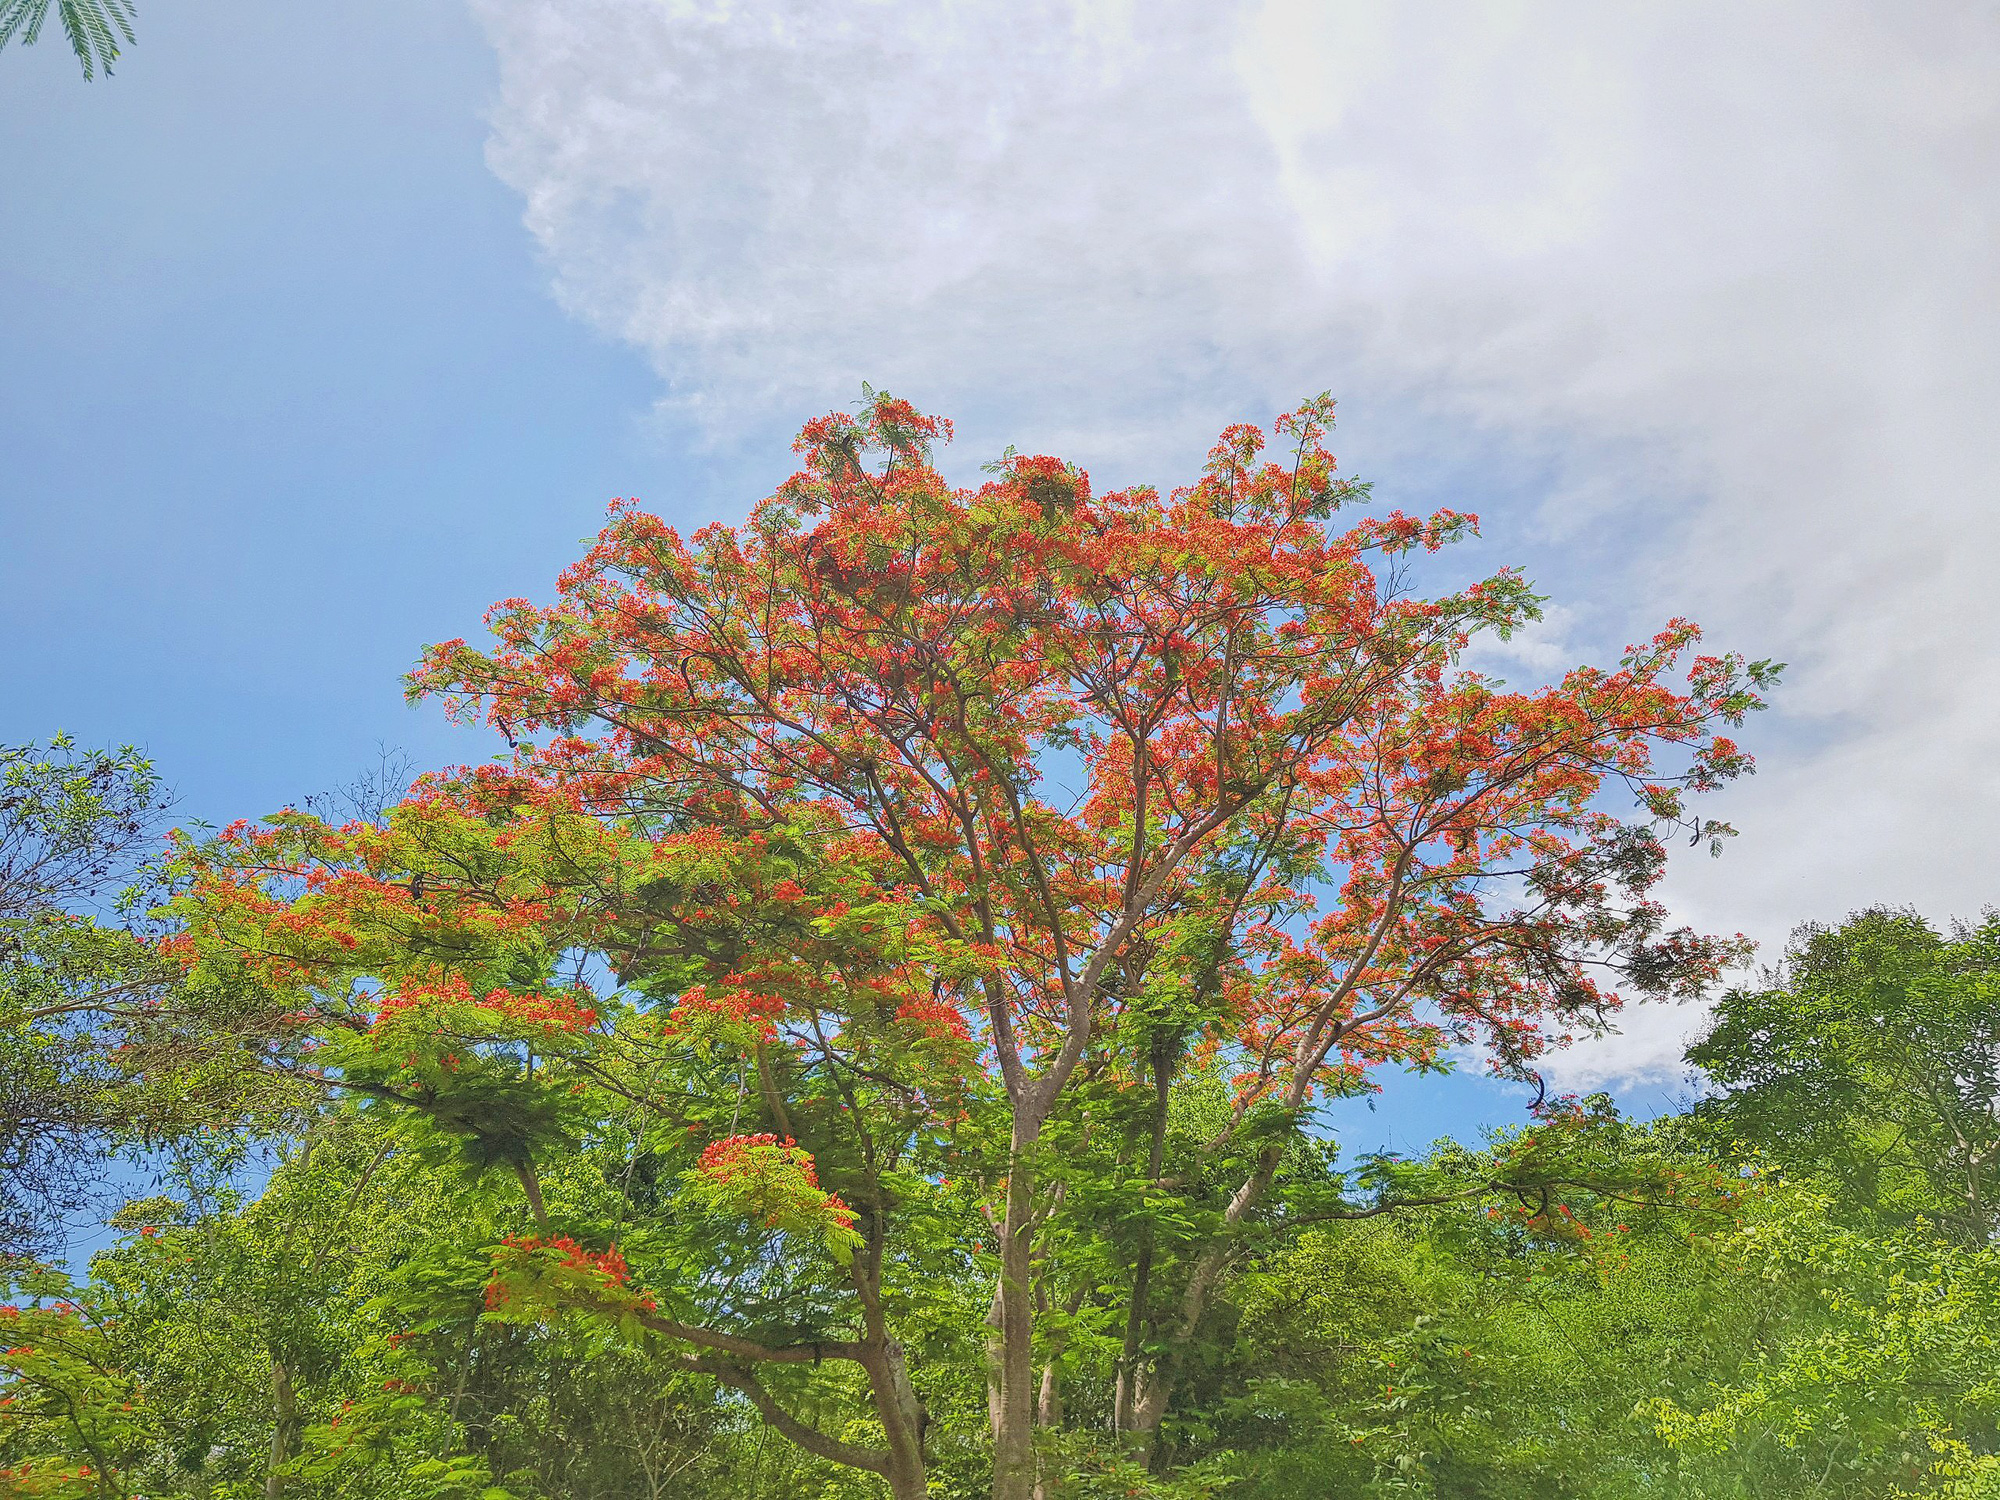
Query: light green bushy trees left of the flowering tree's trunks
[[329, 1339]]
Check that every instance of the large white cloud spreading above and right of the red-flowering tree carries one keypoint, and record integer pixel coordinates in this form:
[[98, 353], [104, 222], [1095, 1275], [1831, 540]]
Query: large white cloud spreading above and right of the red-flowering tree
[[1731, 273]]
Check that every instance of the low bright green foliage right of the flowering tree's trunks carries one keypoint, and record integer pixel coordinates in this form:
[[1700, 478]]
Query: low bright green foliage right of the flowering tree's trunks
[[1441, 1359]]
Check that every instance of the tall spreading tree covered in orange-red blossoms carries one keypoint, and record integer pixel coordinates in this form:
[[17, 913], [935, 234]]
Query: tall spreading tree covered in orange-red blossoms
[[909, 823]]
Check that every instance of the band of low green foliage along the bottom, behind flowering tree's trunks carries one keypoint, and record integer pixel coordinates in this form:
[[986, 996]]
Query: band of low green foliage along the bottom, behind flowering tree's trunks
[[337, 1329]]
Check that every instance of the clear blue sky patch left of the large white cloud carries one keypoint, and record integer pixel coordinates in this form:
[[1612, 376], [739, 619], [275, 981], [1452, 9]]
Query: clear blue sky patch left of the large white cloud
[[285, 395]]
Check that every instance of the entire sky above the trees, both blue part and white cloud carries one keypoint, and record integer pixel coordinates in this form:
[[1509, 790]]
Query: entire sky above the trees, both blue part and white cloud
[[327, 329]]
